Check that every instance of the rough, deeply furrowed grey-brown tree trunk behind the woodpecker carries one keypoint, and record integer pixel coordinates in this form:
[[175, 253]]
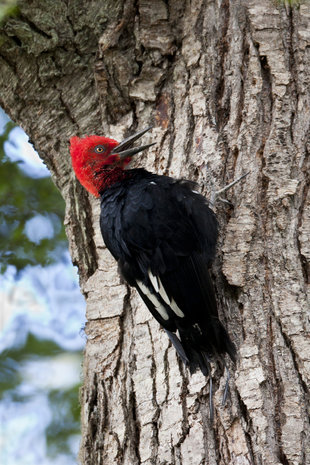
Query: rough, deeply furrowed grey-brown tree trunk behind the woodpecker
[[226, 85]]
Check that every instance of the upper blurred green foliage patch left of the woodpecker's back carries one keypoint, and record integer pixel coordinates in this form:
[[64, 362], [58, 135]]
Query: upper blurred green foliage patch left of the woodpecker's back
[[21, 199]]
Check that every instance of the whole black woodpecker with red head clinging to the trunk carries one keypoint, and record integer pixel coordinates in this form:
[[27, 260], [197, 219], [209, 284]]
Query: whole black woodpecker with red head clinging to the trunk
[[163, 235]]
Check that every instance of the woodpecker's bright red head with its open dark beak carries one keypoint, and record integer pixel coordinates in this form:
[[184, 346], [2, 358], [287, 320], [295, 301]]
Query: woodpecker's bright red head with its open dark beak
[[99, 162]]
